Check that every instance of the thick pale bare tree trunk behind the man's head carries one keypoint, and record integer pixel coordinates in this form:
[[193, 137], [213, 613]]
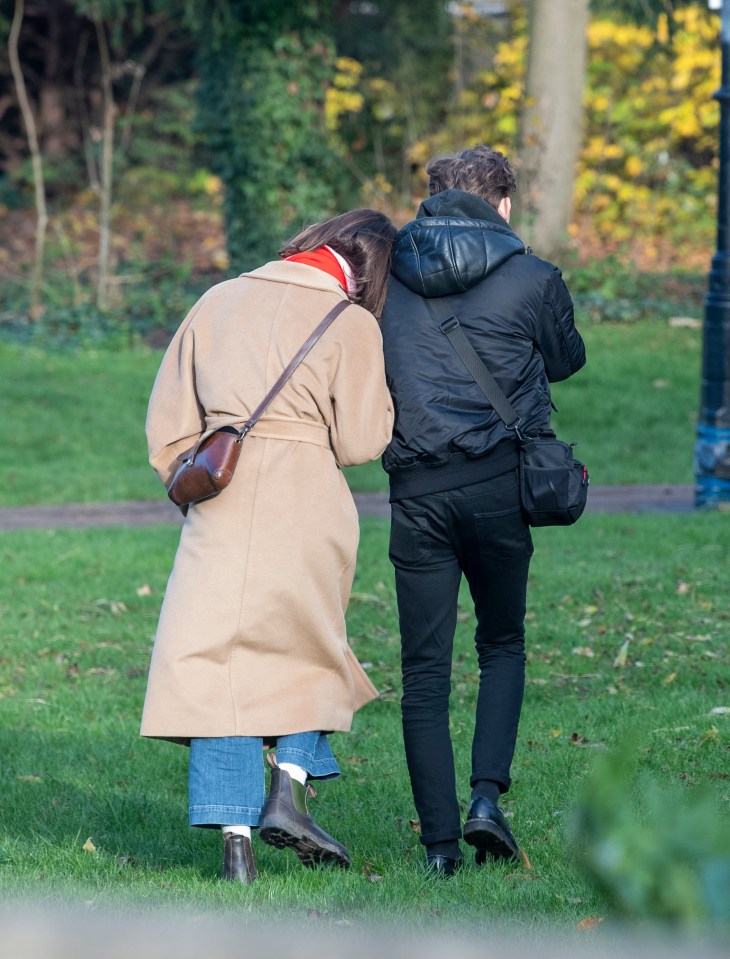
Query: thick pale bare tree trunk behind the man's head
[[550, 132]]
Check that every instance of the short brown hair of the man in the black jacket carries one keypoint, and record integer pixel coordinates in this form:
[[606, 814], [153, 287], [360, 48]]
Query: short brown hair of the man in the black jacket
[[479, 169]]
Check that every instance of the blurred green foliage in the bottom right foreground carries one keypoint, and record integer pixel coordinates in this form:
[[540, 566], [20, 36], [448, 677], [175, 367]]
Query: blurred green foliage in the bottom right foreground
[[654, 850]]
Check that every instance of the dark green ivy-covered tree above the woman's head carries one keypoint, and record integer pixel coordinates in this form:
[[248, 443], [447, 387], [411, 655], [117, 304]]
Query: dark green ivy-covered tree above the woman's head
[[262, 97]]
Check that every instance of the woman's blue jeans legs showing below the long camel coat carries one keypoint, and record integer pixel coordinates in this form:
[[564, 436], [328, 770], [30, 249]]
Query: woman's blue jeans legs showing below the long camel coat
[[226, 775]]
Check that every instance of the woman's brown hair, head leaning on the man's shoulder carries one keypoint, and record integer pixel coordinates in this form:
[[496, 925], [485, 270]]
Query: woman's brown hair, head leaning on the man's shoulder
[[365, 239]]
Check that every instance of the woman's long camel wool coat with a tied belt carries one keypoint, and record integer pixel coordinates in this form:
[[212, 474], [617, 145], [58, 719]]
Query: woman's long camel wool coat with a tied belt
[[251, 638]]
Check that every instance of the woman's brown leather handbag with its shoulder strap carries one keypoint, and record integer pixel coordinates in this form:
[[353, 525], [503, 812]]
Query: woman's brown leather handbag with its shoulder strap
[[208, 467]]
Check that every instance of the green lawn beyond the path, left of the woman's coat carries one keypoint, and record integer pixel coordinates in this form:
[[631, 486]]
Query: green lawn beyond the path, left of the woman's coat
[[73, 429]]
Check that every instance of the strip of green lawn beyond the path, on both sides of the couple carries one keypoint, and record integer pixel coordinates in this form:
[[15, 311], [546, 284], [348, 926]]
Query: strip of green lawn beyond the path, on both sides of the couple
[[74, 428]]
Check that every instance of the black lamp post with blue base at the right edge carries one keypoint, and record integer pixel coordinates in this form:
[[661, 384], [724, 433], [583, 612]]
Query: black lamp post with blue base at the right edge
[[712, 447]]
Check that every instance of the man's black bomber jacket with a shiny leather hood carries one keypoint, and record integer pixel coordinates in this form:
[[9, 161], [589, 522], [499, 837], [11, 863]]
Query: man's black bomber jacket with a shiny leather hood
[[518, 315]]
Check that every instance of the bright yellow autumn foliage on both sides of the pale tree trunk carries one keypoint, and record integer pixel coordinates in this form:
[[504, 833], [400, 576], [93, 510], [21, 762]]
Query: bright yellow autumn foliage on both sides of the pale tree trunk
[[648, 165]]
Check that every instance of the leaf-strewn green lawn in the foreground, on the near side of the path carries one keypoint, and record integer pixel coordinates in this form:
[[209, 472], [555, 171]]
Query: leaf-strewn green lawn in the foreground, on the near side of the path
[[627, 634]]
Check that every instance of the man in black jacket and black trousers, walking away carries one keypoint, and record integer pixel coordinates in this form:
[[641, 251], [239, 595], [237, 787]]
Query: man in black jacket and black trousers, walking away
[[452, 466]]
